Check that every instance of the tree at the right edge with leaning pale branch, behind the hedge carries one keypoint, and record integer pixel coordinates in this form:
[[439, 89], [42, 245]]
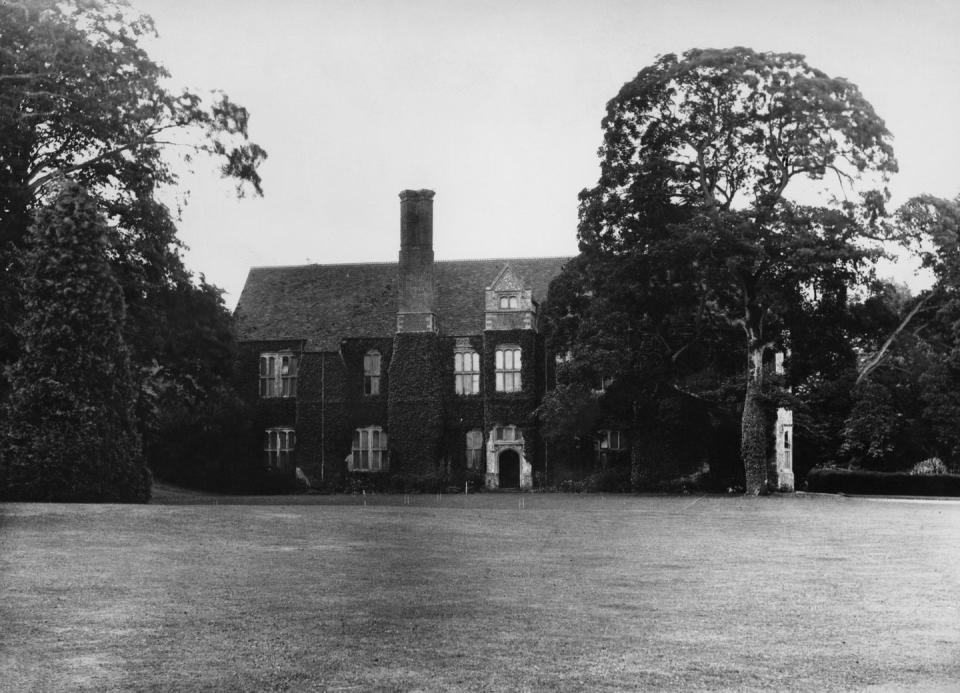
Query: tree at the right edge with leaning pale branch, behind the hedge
[[906, 405]]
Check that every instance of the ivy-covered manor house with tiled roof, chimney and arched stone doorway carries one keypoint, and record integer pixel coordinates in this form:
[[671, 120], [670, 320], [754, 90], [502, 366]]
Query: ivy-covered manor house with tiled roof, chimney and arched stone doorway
[[414, 369]]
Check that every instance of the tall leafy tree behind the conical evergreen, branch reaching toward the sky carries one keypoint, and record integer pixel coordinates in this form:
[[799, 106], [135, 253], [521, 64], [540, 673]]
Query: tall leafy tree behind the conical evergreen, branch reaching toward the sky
[[81, 99]]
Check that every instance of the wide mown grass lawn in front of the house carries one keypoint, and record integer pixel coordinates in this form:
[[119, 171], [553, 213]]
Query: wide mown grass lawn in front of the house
[[482, 592]]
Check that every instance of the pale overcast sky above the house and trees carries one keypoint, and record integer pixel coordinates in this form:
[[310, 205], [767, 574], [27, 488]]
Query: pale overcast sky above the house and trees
[[495, 105]]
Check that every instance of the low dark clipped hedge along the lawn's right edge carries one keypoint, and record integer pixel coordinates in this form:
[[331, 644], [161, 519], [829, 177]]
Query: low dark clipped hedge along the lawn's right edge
[[882, 483]]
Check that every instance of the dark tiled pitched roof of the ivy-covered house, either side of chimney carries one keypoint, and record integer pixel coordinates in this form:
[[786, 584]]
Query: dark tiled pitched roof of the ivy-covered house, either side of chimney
[[324, 304]]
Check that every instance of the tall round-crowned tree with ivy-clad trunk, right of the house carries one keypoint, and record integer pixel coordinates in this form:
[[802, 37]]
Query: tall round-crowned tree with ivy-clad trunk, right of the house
[[699, 154]]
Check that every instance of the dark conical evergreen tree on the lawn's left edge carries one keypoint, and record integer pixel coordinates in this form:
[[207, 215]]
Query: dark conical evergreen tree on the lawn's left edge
[[69, 419]]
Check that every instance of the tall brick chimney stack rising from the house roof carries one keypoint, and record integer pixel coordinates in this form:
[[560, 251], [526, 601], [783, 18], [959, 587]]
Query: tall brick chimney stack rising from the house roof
[[416, 302]]
